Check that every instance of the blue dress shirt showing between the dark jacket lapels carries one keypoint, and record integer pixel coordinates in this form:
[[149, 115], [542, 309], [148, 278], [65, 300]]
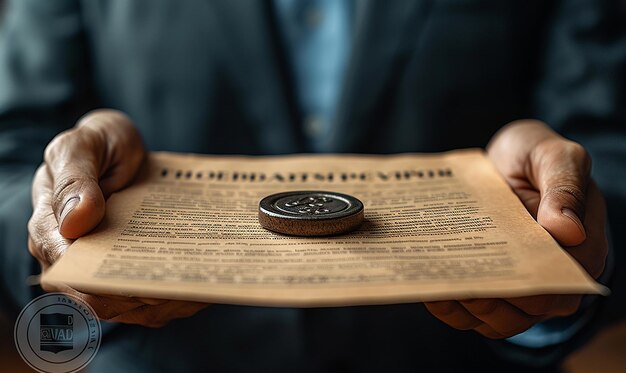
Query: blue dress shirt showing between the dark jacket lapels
[[317, 35]]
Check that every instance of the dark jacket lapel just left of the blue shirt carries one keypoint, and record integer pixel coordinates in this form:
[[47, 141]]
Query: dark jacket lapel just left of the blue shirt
[[253, 62]]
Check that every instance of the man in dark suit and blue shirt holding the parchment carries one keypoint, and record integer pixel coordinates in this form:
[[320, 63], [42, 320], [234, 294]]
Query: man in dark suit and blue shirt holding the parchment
[[265, 78]]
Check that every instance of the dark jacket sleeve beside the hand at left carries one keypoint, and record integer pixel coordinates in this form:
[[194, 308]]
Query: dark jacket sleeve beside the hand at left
[[43, 90]]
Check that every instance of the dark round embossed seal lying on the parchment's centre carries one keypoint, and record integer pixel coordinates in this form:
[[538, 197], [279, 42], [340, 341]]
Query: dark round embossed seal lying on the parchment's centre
[[310, 213]]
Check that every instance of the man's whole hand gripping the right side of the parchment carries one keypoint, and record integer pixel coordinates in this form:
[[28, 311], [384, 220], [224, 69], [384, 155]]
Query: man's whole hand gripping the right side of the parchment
[[551, 176]]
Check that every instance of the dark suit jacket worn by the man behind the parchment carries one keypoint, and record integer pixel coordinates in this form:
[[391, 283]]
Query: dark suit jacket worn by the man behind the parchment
[[211, 77]]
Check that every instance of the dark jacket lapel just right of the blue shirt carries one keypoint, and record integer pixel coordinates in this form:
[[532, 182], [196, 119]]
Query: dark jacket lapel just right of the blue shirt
[[383, 37]]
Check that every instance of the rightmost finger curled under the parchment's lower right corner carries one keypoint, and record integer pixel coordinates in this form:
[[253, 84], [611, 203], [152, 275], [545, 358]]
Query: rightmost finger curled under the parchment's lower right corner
[[547, 305]]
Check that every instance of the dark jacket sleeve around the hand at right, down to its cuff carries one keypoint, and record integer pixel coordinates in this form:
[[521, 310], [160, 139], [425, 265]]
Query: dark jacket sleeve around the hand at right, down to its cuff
[[581, 93]]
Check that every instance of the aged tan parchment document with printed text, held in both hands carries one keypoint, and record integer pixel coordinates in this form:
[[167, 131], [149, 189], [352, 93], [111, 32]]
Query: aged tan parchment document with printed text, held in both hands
[[437, 226]]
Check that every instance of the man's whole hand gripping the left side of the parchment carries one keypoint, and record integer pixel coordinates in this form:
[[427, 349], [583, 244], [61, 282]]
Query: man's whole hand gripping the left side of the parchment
[[82, 167]]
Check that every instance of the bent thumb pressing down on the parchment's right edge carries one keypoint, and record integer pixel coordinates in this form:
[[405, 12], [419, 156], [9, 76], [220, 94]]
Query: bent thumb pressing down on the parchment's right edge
[[530, 155]]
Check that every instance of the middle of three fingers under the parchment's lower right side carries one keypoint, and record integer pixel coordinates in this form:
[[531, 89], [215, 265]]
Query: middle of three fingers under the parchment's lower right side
[[501, 316]]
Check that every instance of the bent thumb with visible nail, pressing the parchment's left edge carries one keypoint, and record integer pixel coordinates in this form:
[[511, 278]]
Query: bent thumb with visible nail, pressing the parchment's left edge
[[76, 161]]
